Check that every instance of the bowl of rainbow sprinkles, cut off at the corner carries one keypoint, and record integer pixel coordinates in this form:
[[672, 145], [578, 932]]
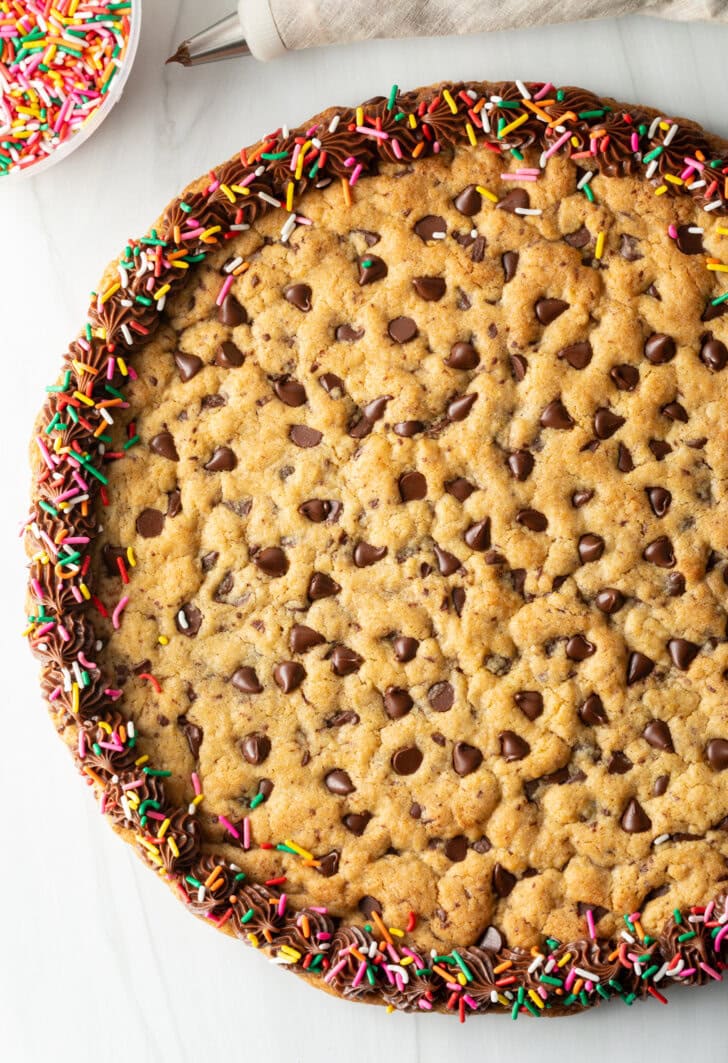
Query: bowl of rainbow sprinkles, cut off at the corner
[[63, 66]]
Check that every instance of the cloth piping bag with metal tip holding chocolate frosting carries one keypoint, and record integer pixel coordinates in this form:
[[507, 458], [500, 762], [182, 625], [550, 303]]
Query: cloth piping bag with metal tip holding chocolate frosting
[[268, 29]]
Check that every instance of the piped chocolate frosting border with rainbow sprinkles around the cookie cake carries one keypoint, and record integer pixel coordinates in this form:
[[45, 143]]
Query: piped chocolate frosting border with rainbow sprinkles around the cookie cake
[[373, 963]]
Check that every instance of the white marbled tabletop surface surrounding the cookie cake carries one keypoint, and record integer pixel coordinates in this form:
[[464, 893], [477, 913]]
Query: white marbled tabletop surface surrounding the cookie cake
[[94, 952]]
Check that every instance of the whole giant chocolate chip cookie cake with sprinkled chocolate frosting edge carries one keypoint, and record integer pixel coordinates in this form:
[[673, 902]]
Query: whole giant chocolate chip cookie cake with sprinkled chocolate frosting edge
[[380, 550]]
